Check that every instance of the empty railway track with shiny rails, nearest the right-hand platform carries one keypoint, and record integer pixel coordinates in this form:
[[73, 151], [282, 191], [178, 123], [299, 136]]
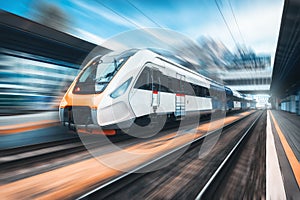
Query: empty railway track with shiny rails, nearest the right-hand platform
[[127, 182]]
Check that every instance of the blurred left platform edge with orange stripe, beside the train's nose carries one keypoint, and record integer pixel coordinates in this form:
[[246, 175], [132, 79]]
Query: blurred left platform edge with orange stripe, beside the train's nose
[[22, 130]]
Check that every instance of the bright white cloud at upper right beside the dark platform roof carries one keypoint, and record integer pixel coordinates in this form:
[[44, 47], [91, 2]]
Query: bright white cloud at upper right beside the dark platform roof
[[259, 26]]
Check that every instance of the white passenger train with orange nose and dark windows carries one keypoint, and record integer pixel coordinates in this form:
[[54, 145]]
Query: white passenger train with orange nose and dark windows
[[122, 88]]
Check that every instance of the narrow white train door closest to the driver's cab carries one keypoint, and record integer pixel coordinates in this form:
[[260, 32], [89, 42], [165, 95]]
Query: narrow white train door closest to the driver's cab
[[156, 84]]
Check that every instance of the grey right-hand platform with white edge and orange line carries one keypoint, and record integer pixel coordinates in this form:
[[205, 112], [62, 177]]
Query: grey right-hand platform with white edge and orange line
[[283, 155]]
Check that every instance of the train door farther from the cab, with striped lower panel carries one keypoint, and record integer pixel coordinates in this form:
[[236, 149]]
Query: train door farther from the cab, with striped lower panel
[[180, 96]]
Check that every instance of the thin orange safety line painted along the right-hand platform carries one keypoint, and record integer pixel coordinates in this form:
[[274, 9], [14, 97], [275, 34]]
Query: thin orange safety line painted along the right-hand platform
[[288, 151]]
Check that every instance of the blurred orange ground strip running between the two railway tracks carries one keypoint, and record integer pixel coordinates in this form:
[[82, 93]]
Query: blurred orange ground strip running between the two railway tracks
[[72, 180]]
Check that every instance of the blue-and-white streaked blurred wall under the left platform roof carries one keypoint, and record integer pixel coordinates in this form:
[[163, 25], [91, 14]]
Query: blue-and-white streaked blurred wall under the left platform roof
[[31, 83]]
